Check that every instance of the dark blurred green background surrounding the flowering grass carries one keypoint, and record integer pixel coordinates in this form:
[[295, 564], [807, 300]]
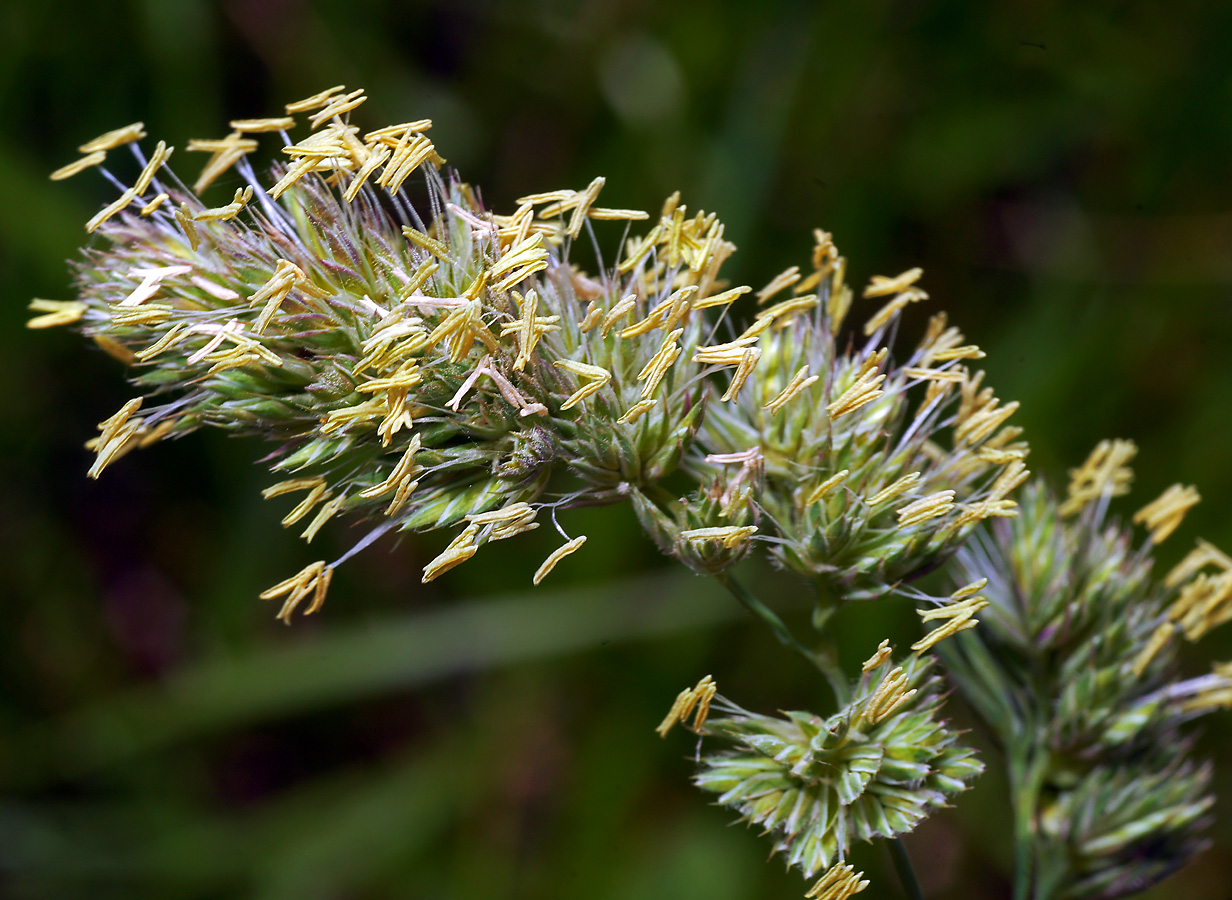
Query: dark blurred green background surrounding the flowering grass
[[1060, 171]]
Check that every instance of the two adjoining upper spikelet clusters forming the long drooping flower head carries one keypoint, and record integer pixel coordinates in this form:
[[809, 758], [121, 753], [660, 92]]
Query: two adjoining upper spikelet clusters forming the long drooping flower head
[[459, 370]]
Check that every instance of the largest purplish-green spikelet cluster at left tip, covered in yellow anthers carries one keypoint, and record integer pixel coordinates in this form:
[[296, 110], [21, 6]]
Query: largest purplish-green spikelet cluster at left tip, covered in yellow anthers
[[419, 365]]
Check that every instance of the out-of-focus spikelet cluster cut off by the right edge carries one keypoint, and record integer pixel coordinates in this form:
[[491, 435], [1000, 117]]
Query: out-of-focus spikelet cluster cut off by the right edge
[[1075, 672]]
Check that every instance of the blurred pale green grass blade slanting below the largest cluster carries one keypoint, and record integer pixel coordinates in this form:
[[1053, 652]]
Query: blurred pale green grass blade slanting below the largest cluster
[[380, 657]]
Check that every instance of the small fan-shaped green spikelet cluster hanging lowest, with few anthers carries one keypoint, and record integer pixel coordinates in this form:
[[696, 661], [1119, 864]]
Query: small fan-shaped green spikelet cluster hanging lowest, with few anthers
[[877, 769]]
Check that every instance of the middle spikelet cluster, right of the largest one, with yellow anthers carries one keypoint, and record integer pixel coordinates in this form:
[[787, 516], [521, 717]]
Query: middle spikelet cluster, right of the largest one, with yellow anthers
[[869, 470]]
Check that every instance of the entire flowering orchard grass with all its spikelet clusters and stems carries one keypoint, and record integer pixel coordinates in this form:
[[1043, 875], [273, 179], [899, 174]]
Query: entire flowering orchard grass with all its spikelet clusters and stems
[[421, 363]]
